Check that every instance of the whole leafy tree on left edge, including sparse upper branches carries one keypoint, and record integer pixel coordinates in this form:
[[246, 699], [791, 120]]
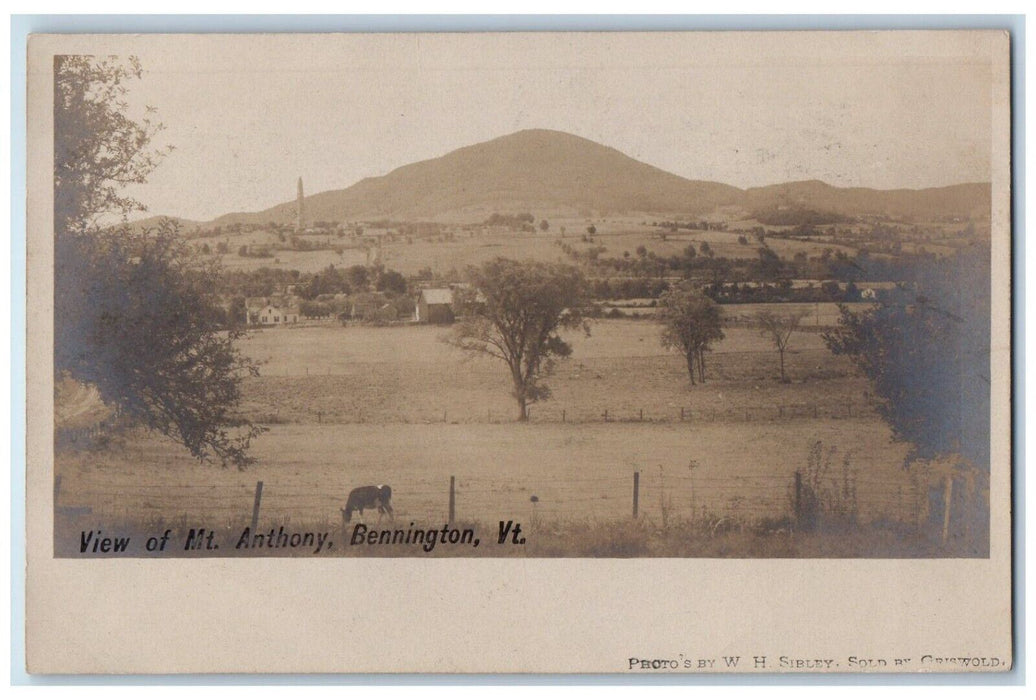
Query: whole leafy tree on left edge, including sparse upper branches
[[135, 314]]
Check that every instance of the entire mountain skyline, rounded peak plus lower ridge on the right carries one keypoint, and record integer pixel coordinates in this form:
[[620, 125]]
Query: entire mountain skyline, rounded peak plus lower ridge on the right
[[553, 173]]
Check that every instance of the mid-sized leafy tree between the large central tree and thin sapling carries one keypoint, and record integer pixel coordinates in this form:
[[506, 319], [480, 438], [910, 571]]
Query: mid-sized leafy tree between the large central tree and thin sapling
[[690, 325]]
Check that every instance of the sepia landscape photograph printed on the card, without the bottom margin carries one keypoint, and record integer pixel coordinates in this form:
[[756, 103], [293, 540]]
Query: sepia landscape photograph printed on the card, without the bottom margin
[[394, 301]]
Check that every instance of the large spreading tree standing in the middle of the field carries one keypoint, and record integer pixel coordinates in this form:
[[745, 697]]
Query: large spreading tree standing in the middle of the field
[[515, 312]]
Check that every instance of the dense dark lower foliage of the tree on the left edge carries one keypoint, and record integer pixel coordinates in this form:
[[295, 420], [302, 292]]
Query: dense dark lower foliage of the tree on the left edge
[[135, 316]]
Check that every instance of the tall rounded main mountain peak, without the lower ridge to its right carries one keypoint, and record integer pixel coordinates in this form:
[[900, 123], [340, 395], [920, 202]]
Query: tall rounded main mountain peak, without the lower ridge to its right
[[535, 170]]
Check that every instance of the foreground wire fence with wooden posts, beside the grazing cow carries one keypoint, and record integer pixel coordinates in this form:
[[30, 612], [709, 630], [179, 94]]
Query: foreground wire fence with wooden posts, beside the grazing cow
[[656, 495]]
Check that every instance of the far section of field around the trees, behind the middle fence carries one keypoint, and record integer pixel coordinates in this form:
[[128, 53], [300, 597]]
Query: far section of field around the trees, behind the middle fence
[[408, 374]]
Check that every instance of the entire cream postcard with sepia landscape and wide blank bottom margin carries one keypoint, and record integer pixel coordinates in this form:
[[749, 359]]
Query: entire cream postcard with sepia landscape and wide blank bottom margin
[[360, 343]]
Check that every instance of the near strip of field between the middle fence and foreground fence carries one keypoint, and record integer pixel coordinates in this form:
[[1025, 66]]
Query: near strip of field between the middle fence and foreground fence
[[578, 473]]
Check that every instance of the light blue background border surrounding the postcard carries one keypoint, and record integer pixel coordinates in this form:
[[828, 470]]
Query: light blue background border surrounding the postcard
[[22, 26]]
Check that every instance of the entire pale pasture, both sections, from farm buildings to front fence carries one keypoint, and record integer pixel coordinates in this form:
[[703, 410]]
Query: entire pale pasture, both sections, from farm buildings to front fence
[[351, 406]]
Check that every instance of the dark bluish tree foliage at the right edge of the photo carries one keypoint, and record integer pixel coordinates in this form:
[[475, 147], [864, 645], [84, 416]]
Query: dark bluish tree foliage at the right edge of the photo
[[927, 355]]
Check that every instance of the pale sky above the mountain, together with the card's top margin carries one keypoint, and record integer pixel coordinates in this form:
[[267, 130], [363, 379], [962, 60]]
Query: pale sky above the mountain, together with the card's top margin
[[248, 115]]
